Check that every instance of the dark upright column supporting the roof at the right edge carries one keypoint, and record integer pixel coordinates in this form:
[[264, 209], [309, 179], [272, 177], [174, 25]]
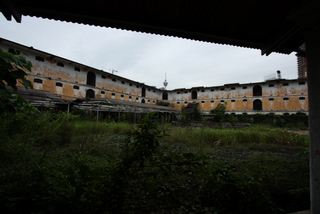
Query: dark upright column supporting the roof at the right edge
[[313, 63]]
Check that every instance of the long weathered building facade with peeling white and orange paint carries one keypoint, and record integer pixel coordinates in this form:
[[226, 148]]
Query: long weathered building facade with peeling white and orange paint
[[71, 80]]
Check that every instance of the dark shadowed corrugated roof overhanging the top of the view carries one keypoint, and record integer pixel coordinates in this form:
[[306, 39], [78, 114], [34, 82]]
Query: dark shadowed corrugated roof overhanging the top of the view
[[267, 25]]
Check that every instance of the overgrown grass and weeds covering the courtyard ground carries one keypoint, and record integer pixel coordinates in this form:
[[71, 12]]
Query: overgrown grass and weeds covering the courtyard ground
[[54, 163]]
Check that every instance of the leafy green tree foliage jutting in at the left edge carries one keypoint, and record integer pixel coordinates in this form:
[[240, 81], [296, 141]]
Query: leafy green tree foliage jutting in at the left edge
[[12, 69]]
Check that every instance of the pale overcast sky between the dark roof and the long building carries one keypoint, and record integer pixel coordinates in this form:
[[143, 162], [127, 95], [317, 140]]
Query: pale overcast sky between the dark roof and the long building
[[145, 57]]
